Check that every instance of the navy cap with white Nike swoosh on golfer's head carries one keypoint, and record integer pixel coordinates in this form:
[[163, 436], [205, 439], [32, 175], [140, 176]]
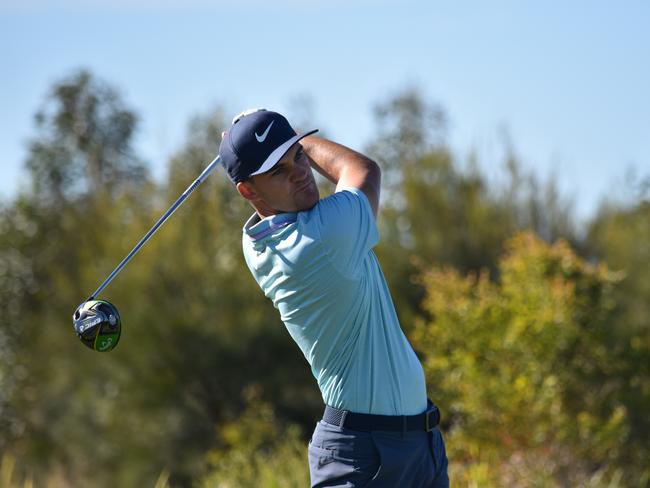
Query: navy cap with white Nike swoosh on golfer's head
[[255, 143]]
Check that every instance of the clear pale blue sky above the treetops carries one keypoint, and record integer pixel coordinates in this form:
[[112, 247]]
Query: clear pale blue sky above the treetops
[[569, 80]]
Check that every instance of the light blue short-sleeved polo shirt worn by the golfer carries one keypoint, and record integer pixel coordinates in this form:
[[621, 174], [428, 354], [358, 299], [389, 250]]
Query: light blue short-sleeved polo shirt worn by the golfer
[[319, 270]]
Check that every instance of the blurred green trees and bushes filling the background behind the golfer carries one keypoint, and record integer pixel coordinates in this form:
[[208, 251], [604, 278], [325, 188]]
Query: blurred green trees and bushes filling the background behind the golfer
[[533, 329]]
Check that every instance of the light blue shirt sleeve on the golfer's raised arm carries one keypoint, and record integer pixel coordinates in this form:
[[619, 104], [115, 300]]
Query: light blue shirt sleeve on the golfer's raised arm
[[347, 228]]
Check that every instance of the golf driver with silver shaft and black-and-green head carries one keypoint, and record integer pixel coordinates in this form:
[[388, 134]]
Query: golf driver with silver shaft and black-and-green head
[[97, 323]]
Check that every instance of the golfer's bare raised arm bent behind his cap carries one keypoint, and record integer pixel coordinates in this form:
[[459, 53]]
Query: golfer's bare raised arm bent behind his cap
[[344, 167]]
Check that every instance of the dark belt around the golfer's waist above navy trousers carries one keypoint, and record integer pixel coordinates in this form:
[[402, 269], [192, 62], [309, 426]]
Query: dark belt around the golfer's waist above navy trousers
[[366, 422]]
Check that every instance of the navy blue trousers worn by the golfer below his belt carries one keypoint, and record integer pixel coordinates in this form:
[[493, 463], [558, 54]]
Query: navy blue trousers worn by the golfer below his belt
[[340, 457]]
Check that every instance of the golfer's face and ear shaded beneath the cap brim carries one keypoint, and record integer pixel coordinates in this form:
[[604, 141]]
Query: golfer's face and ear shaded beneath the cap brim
[[289, 186]]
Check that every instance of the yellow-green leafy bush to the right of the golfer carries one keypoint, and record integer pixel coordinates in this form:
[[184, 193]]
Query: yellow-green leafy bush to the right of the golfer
[[526, 371]]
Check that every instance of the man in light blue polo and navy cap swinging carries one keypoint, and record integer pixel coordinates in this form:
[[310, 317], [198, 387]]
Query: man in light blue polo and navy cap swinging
[[313, 259]]
